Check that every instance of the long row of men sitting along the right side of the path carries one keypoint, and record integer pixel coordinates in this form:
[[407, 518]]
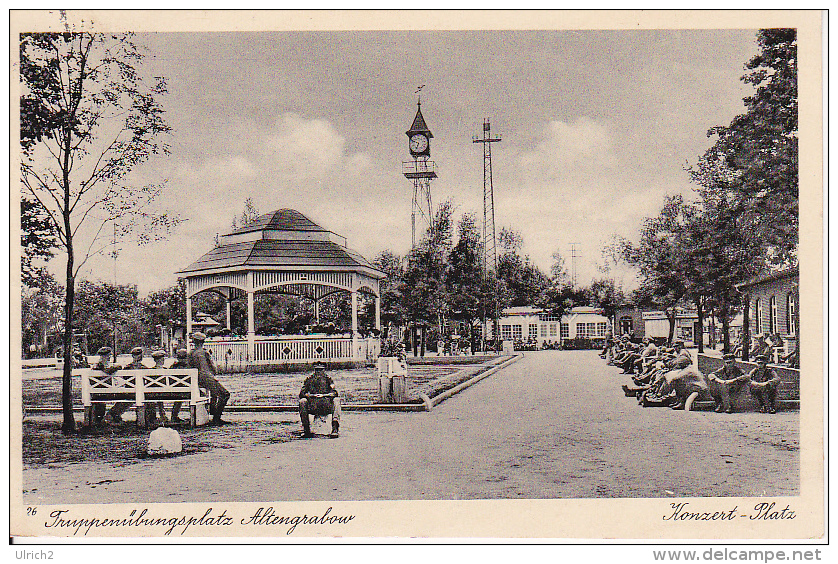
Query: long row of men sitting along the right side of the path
[[664, 376]]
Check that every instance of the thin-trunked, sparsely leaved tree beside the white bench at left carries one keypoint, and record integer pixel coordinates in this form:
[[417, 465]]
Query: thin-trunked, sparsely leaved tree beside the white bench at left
[[88, 118]]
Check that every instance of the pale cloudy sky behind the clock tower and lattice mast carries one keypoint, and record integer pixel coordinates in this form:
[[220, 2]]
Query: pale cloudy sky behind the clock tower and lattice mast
[[597, 128]]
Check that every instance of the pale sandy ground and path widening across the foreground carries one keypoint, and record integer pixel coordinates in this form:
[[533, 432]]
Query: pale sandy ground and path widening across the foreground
[[553, 425]]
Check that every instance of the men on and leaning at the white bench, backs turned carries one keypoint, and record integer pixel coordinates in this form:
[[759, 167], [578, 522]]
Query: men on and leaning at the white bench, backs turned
[[155, 414]]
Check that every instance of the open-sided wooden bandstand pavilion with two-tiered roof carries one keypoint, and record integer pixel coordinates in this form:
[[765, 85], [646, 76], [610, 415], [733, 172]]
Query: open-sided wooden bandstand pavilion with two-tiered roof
[[284, 252]]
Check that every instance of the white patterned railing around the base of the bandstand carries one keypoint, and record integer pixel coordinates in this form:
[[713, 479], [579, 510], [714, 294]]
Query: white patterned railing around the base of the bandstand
[[232, 354]]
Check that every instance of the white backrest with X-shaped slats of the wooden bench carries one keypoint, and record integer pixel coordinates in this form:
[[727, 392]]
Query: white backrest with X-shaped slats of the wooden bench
[[138, 383]]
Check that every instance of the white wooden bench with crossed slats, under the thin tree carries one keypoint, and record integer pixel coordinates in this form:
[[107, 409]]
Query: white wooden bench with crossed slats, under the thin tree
[[140, 387]]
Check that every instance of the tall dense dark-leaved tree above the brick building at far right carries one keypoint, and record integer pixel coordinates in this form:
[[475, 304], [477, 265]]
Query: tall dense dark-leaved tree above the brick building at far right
[[755, 158]]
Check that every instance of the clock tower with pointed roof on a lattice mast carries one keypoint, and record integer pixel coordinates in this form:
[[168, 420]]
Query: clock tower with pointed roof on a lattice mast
[[420, 170]]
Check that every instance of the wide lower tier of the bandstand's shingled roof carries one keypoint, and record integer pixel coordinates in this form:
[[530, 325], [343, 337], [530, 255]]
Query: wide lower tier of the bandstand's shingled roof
[[279, 254]]
